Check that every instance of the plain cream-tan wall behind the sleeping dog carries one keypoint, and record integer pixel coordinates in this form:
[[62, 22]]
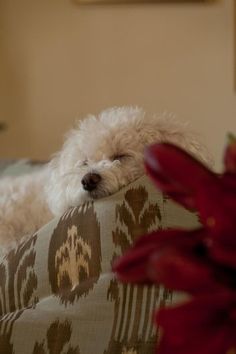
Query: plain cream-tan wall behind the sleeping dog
[[60, 61]]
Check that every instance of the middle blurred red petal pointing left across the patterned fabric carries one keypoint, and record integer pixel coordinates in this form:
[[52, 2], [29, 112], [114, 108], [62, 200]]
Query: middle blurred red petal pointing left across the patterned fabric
[[178, 259]]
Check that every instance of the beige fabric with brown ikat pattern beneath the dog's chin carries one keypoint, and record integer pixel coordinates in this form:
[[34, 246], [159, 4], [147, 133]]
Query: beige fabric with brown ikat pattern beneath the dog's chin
[[57, 292]]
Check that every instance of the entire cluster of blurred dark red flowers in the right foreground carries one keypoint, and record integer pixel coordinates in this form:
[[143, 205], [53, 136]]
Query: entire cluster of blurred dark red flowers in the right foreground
[[201, 262]]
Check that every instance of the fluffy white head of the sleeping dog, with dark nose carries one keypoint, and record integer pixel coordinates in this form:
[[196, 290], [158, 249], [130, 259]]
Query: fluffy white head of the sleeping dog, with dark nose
[[103, 154]]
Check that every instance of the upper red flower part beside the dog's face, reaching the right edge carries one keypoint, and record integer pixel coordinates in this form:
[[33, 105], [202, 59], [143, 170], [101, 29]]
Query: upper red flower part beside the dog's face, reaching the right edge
[[191, 184]]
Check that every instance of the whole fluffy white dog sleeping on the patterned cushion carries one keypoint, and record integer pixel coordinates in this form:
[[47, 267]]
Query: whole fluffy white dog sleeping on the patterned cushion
[[100, 156]]
